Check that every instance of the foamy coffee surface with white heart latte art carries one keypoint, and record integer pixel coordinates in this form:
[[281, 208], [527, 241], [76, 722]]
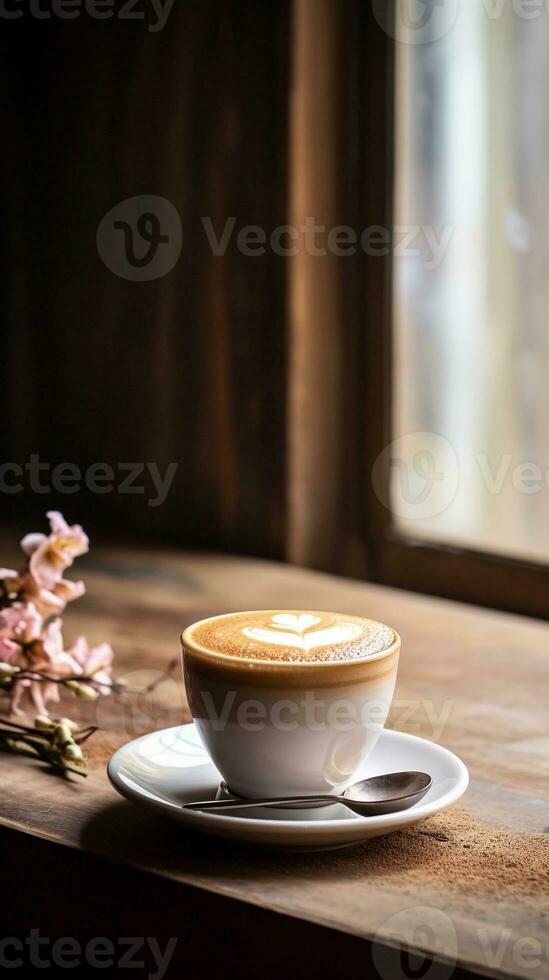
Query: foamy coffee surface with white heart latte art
[[293, 636]]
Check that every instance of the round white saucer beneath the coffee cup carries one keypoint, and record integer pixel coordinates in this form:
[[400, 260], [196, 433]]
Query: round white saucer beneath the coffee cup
[[165, 769]]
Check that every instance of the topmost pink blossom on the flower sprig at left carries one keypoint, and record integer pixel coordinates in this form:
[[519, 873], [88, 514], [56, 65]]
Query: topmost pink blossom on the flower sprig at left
[[50, 555]]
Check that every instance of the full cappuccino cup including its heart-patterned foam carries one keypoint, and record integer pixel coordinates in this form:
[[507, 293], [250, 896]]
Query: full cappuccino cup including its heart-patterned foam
[[289, 702]]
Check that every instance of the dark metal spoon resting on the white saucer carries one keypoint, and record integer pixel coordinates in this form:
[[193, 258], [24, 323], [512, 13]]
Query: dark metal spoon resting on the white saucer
[[370, 797]]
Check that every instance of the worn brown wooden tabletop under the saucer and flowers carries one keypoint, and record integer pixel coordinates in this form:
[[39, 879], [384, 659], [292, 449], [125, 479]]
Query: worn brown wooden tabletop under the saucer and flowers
[[467, 887]]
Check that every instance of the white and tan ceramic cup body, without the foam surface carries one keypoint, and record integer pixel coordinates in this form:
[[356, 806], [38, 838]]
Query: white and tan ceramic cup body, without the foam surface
[[286, 728]]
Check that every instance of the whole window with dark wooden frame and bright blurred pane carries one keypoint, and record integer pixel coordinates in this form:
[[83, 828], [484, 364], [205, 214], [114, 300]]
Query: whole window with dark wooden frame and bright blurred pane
[[455, 356]]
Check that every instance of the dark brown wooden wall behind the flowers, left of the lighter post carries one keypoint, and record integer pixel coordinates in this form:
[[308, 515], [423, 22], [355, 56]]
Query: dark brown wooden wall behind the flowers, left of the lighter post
[[186, 368]]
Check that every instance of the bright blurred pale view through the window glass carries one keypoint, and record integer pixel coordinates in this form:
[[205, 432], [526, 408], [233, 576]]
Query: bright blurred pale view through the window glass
[[470, 461]]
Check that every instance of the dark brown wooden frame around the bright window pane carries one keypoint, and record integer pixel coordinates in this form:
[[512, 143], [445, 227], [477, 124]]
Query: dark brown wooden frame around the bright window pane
[[390, 557]]
